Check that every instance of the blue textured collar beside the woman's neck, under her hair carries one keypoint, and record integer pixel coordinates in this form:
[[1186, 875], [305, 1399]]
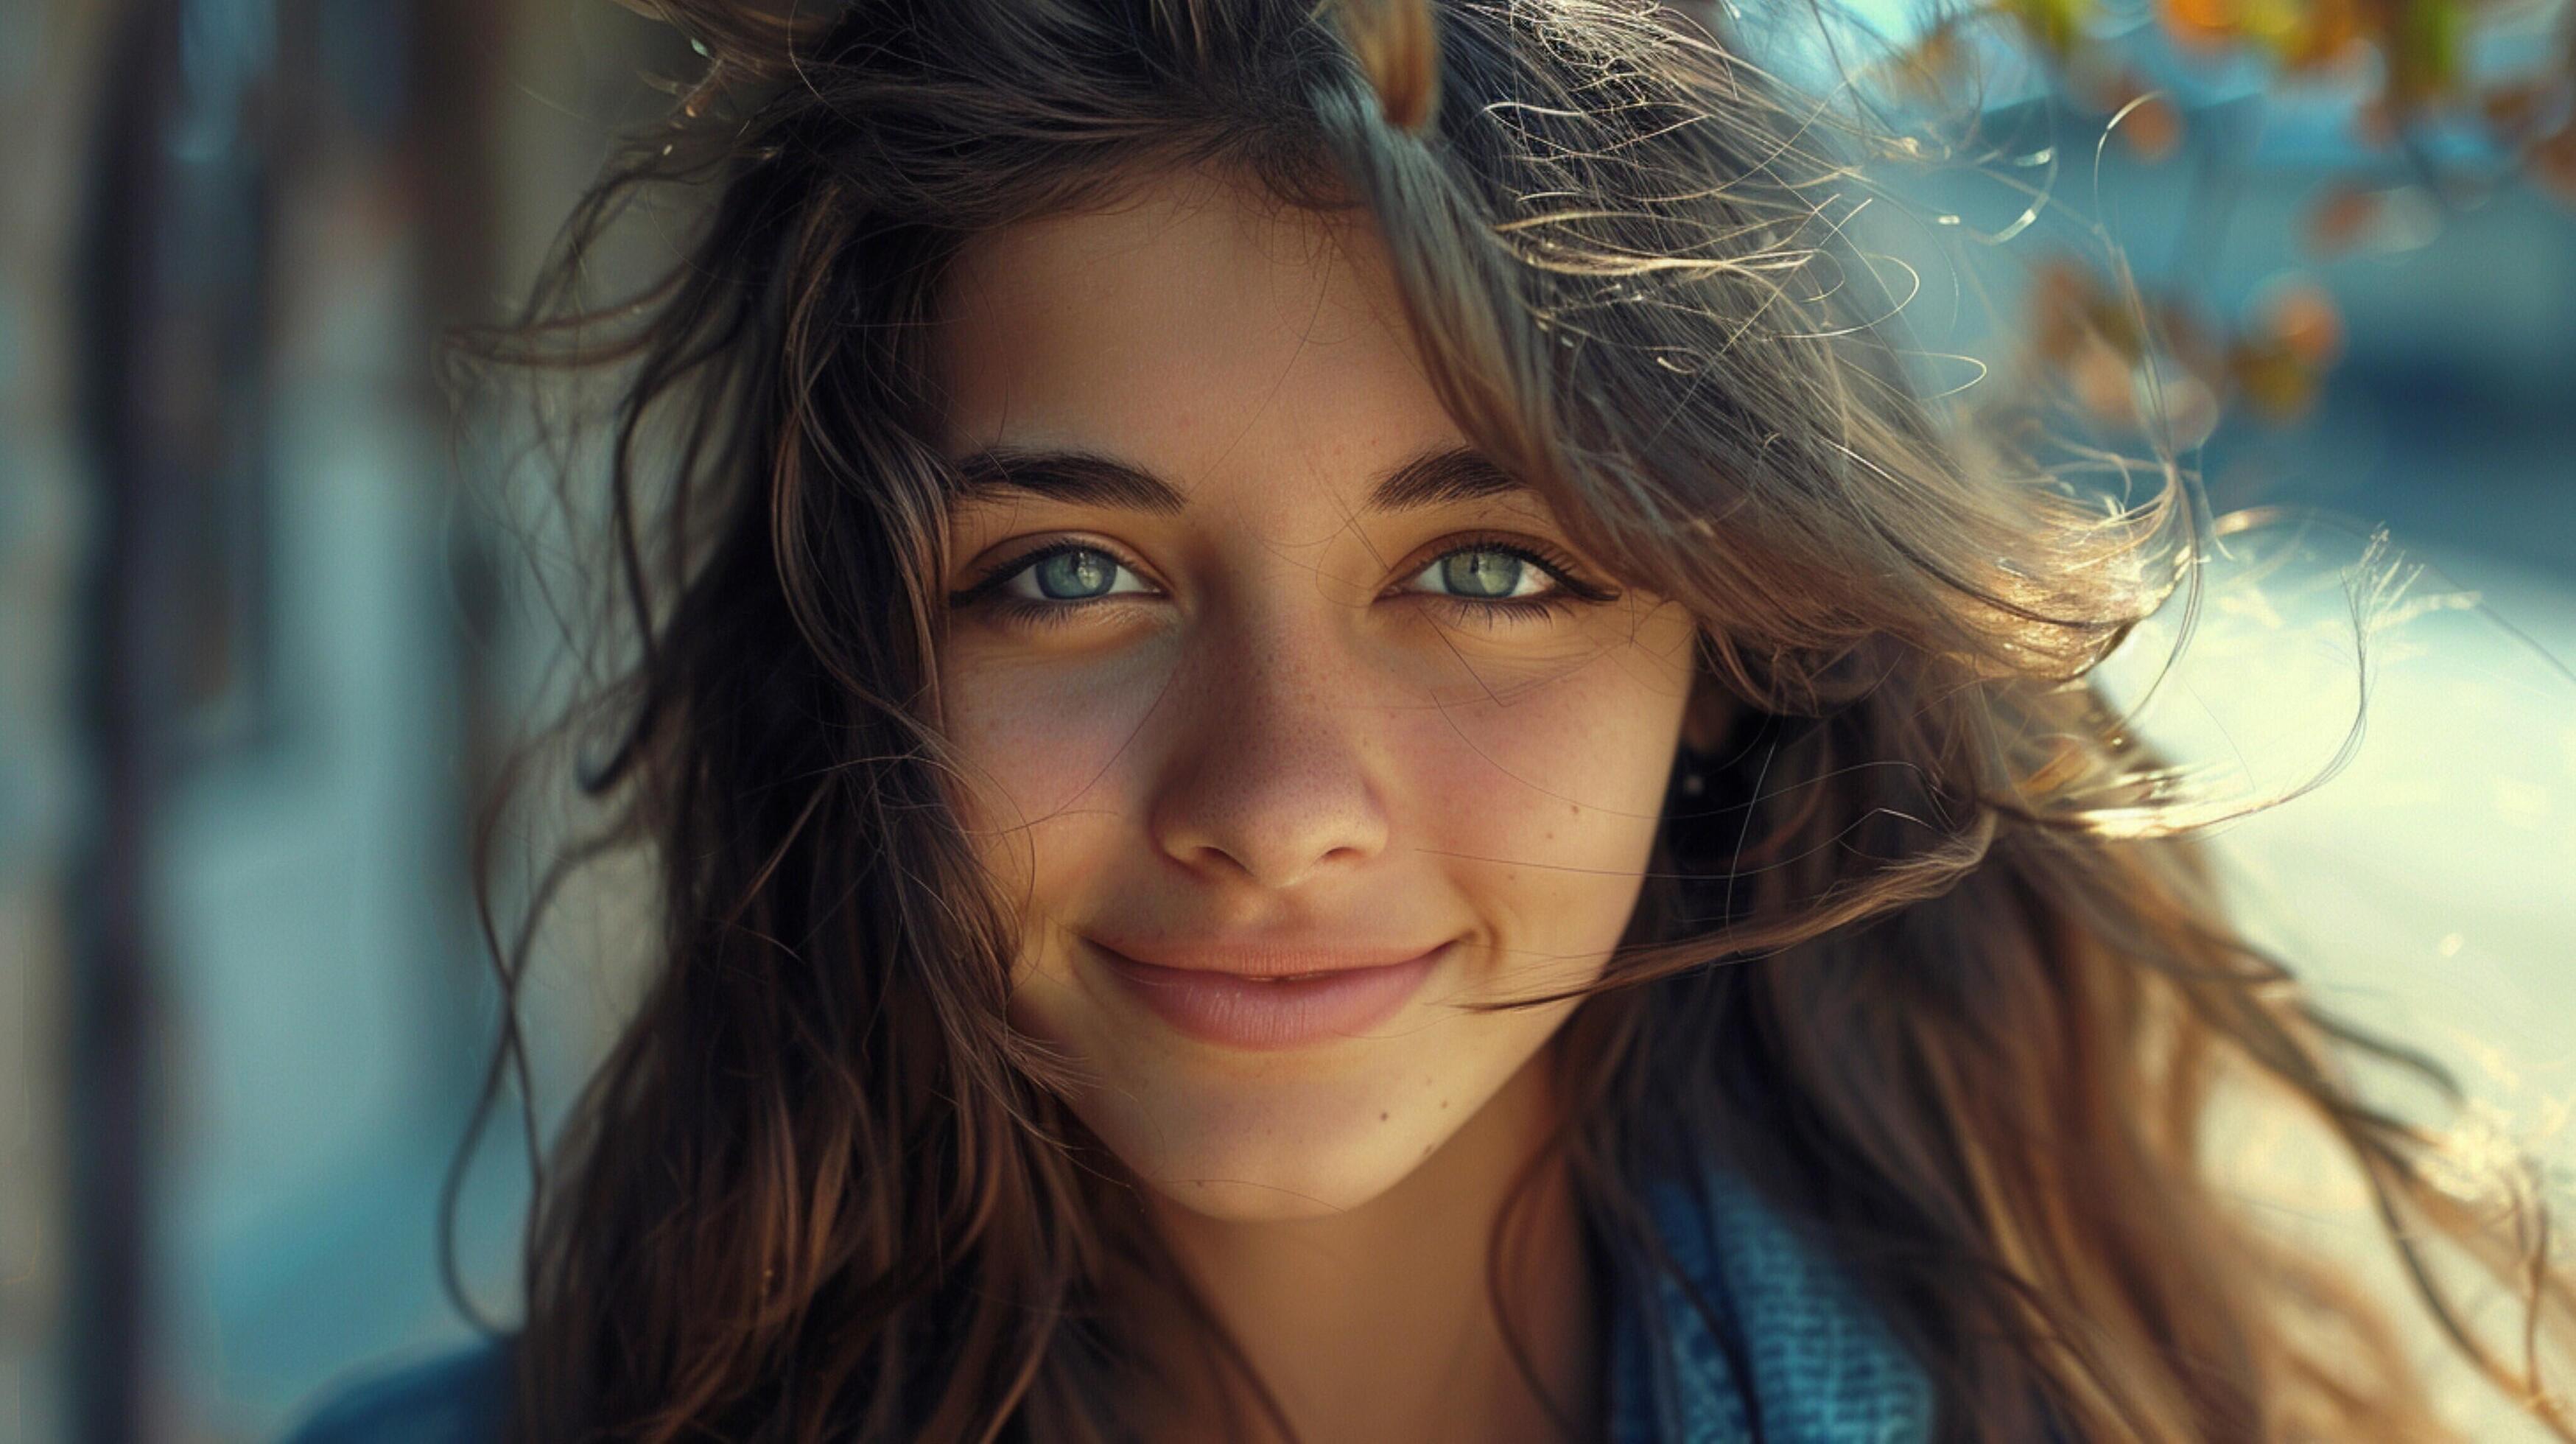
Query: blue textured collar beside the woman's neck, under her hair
[[1799, 1358]]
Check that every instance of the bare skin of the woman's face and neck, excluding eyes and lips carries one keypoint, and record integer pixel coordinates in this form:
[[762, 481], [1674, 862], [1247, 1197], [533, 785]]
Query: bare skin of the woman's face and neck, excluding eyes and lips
[[1279, 723]]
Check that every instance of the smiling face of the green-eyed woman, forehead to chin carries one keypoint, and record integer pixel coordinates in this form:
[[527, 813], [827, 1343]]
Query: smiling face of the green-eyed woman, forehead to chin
[[1261, 672]]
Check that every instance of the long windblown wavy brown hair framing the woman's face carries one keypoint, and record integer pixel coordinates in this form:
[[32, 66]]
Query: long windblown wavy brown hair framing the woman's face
[[1920, 963]]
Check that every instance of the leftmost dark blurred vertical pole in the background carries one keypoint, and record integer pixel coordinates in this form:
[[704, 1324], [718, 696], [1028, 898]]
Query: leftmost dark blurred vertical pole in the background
[[174, 401]]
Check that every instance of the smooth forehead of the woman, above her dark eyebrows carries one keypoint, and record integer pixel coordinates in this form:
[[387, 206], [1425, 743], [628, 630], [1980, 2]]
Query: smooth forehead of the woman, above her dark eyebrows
[[1194, 331]]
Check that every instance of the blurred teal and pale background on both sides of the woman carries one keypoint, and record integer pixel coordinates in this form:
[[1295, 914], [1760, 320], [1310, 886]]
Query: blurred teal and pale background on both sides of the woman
[[264, 638]]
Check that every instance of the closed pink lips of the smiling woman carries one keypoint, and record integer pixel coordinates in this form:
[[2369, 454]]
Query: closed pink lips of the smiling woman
[[1245, 1010]]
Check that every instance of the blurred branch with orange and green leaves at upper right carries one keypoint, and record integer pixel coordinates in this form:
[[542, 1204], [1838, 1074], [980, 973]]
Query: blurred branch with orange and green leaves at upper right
[[2448, 104]]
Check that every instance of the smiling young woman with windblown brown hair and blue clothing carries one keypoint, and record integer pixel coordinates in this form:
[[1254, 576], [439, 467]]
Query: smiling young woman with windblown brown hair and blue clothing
[[1336, 757]]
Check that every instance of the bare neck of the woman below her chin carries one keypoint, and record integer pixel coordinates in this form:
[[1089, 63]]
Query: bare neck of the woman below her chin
[[1382, 1324]]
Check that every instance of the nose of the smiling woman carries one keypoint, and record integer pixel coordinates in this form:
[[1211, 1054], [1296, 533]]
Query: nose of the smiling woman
[[1271, 777]]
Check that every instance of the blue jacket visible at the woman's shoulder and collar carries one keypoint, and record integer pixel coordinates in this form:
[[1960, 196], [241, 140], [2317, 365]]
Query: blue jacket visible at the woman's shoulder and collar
[[1797, 1355]]
